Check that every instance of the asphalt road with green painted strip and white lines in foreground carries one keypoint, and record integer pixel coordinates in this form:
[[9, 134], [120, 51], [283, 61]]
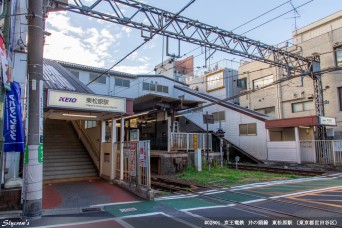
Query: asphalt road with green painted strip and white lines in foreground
[[309, 202]]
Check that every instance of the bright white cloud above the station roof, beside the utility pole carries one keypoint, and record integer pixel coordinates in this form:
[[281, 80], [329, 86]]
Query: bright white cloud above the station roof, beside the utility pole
[[83, 45]]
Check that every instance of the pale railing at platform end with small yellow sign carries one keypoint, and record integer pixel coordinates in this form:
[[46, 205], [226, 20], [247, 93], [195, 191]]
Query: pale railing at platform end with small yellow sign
[[190, 141]]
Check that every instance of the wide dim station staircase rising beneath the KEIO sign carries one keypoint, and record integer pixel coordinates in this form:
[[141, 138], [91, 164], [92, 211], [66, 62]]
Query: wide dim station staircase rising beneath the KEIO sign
[[65, 156]]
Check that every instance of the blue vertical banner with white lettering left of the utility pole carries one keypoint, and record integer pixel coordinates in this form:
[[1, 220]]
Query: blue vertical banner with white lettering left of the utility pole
[[13, 124]]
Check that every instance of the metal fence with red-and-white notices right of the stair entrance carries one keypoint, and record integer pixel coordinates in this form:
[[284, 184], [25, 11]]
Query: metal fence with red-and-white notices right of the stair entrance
[[136, 163]]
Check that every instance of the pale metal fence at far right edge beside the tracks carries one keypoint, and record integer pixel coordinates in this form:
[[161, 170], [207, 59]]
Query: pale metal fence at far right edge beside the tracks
[[321, 151]]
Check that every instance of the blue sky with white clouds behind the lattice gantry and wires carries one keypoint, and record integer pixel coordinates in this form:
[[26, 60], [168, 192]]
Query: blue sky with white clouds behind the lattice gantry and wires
[[85, 40]]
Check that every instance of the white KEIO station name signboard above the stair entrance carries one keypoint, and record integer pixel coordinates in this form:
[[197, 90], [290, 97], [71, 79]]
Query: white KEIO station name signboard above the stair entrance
[[81, 101]]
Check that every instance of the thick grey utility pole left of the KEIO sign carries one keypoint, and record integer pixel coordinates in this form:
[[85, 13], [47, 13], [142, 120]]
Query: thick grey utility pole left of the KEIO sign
[[33, 167]]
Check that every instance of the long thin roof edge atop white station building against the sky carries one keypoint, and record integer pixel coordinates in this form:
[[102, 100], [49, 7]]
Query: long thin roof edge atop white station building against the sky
[[95, 69]]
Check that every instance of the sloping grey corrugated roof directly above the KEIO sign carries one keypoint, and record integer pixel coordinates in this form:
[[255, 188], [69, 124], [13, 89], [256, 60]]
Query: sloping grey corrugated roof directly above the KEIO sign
[[58, 78]]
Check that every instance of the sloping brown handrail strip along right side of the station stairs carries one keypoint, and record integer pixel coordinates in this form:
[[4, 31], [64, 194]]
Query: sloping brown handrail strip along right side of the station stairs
[[87, 142]]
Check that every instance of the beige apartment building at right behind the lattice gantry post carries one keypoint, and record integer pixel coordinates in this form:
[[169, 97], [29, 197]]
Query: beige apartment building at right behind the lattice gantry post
[[295, 98]]
